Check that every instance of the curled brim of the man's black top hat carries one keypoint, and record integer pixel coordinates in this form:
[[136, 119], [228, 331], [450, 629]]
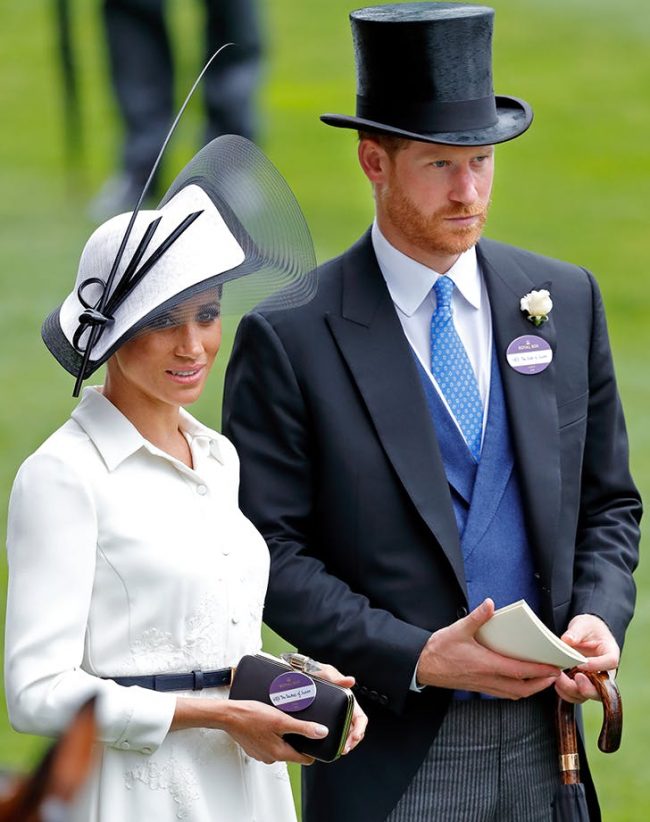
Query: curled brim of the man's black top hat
[[514, 118]]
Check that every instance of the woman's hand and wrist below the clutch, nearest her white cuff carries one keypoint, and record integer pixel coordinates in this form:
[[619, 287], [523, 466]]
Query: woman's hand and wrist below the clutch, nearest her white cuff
[[256, 727]]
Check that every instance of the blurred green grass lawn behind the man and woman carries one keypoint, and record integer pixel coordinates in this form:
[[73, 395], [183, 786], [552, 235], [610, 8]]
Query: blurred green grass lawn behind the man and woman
[[576, 186]]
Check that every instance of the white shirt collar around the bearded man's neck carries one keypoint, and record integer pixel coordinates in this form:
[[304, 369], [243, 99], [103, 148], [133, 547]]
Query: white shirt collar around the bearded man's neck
[[410, 282]]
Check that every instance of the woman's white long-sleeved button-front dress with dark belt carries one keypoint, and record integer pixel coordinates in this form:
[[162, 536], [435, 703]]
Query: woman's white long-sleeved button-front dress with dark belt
[[124, 561]]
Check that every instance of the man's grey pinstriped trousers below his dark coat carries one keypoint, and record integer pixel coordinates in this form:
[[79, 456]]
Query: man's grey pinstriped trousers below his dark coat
[[492, 761]]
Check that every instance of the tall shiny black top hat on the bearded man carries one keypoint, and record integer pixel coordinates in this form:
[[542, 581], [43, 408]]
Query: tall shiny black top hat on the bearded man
[[424, 72]]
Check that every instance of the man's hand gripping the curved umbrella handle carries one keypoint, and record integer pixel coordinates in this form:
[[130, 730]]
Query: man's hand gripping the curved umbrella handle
[[589, 635]]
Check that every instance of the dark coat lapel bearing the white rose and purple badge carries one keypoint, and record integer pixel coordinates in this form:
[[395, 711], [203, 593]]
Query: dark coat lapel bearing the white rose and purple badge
[[530, 400]]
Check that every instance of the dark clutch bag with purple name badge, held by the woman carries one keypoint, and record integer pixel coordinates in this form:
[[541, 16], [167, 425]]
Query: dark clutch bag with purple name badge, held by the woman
[[266, 679]]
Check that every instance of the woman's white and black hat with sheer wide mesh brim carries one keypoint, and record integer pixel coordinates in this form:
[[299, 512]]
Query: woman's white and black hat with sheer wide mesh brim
[[228, 218]]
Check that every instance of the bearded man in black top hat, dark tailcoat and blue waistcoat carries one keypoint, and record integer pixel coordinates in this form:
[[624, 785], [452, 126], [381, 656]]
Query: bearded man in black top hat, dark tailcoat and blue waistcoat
[[417, 447]]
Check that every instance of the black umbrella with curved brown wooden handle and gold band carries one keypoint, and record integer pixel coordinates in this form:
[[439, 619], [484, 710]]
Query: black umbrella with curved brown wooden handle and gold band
[[570, 801]]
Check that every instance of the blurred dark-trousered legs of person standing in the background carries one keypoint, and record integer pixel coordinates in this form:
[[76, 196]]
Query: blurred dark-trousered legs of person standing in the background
[[142, 77]]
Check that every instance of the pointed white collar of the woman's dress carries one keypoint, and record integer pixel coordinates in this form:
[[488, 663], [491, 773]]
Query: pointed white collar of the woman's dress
[[115, 436]]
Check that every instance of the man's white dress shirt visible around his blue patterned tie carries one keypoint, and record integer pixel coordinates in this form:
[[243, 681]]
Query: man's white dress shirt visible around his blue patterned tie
[[410, 284]]
